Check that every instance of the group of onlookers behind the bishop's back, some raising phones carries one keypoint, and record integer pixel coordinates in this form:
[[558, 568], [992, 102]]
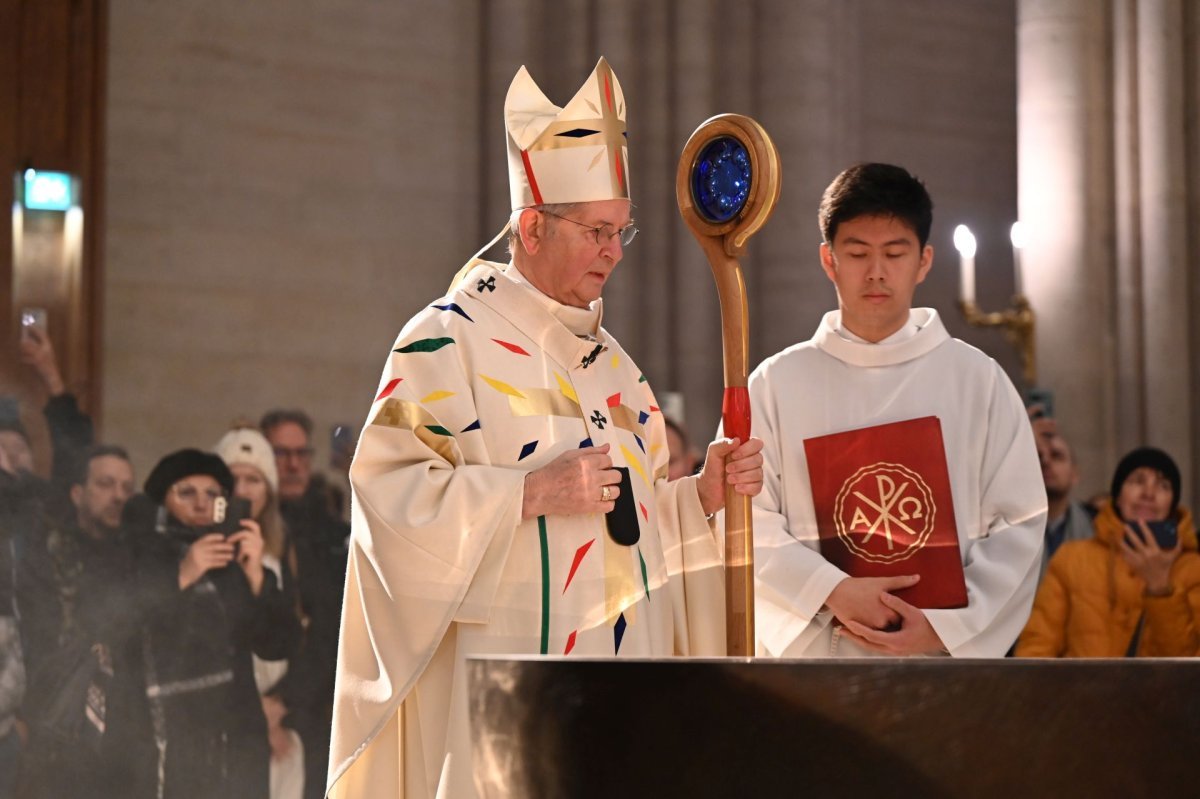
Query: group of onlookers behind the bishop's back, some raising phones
[[175, 641]]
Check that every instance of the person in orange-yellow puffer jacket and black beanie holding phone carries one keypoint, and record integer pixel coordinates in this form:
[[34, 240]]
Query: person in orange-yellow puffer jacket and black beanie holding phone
[[1120, 593]]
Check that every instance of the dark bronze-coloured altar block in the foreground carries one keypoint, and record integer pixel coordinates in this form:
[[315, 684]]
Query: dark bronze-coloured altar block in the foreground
[[929, 728]]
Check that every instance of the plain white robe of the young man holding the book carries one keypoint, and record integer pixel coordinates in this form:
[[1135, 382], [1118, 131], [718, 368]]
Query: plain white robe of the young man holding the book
[[832, 385]]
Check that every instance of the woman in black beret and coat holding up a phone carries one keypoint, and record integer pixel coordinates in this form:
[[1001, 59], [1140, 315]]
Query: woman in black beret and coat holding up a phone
[[209, 605]]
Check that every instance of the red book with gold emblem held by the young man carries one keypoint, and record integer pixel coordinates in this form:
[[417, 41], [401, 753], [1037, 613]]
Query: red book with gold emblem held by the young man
[[884, 506]]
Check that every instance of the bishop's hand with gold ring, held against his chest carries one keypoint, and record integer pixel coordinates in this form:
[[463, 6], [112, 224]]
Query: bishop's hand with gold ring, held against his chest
[[577, 483]]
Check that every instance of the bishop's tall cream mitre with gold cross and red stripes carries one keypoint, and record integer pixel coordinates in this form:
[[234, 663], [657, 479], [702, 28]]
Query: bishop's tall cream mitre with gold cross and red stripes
[[575, 154]]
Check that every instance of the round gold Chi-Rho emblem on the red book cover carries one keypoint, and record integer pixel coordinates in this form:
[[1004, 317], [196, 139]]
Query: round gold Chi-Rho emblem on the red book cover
[[885, 513]]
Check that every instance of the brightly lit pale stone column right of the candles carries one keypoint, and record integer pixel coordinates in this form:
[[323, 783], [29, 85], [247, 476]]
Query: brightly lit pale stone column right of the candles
[[1065, 196]]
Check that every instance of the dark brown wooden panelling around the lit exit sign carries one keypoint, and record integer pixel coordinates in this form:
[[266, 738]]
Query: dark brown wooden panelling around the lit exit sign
[[53, 56]]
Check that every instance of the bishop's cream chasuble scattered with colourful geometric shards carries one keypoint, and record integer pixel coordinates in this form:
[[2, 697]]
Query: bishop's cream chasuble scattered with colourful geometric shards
[[482, 388]]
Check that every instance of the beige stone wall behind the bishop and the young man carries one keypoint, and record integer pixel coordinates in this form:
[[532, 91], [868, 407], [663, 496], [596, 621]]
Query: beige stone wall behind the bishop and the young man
[[290, 182]]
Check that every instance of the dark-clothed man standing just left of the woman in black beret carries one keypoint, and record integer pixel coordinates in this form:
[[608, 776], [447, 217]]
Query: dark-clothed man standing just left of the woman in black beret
[[80, 623]]
